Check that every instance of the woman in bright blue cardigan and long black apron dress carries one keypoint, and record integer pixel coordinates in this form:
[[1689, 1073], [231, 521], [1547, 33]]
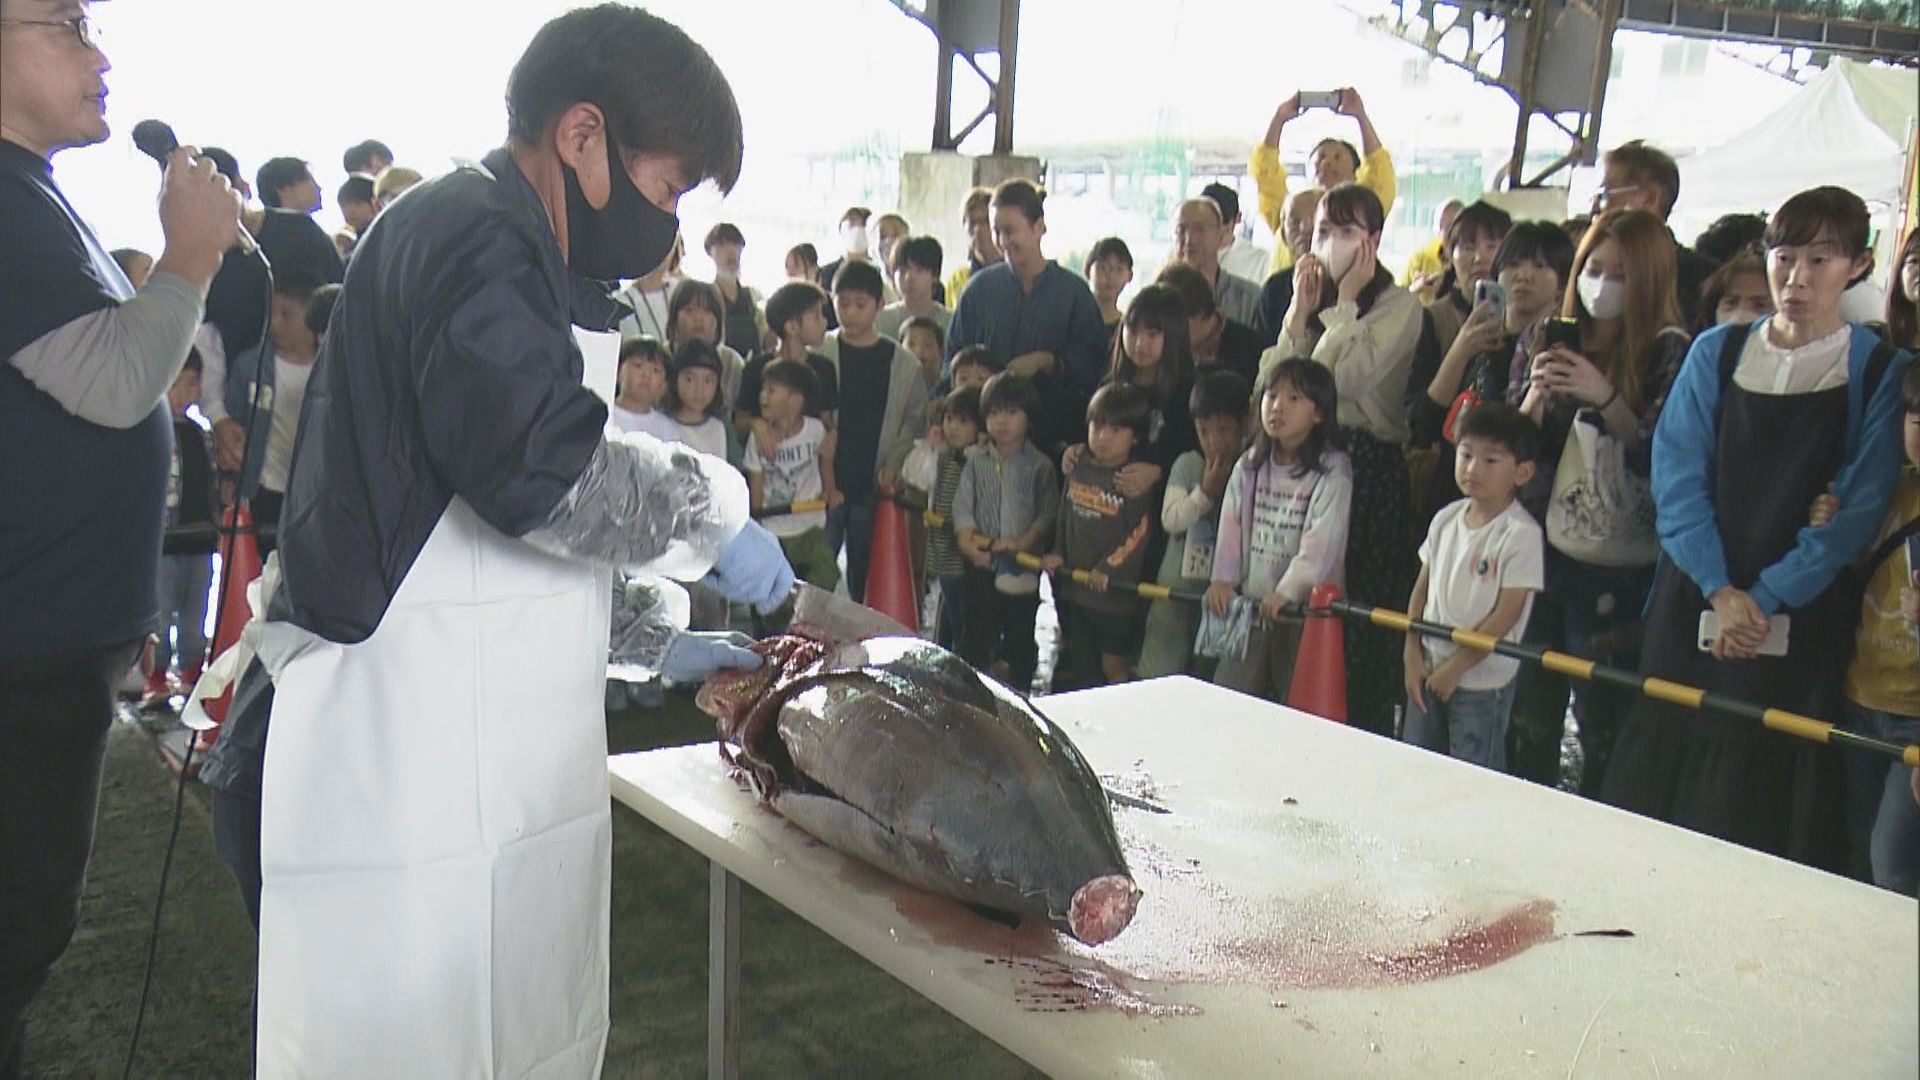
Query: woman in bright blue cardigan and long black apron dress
[[1762, 422]]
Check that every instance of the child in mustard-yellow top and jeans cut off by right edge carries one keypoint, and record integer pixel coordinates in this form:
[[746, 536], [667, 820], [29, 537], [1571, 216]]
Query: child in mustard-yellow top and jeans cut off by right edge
[[1884, 679]]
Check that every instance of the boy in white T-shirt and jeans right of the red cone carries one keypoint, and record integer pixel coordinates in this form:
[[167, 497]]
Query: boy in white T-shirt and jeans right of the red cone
[[1481, 566]]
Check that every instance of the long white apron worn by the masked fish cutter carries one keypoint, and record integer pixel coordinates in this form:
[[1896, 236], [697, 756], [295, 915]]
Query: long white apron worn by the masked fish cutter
[[435, 825]]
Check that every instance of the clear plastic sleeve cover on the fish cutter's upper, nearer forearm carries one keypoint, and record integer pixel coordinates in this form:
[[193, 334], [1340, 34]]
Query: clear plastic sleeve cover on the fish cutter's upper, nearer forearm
[[648, 508]]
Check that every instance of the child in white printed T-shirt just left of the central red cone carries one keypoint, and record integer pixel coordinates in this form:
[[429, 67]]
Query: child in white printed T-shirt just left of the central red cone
[[802, 470]]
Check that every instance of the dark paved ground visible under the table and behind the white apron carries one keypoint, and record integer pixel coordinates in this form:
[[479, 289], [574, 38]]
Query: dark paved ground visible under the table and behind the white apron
[[811, 1008]]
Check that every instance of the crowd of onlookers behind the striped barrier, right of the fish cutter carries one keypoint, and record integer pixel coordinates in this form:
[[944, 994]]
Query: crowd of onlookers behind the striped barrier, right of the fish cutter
[[1562, 433]]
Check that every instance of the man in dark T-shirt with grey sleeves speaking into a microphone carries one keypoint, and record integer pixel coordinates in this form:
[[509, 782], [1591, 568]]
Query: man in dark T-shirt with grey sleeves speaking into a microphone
[[85, 447]]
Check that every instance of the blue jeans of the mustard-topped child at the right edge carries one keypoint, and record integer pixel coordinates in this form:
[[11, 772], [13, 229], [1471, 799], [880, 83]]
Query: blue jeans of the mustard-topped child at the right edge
[[1883, 816]]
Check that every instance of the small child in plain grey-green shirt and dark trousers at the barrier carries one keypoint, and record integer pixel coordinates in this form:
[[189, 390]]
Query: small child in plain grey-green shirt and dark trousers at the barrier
[[1005, 506]]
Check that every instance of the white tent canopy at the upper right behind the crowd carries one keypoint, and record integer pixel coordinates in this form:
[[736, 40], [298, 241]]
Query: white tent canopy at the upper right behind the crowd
[[1850, 128]]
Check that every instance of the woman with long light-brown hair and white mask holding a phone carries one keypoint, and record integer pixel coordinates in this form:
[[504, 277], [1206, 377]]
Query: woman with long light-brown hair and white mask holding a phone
[[1608, 364]]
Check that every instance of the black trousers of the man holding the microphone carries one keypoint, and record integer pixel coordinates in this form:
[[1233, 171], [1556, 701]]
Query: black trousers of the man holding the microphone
[[55, 727]]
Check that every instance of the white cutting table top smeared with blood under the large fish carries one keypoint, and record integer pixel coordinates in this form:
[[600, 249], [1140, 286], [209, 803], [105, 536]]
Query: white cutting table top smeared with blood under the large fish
[[1740, 966]]
